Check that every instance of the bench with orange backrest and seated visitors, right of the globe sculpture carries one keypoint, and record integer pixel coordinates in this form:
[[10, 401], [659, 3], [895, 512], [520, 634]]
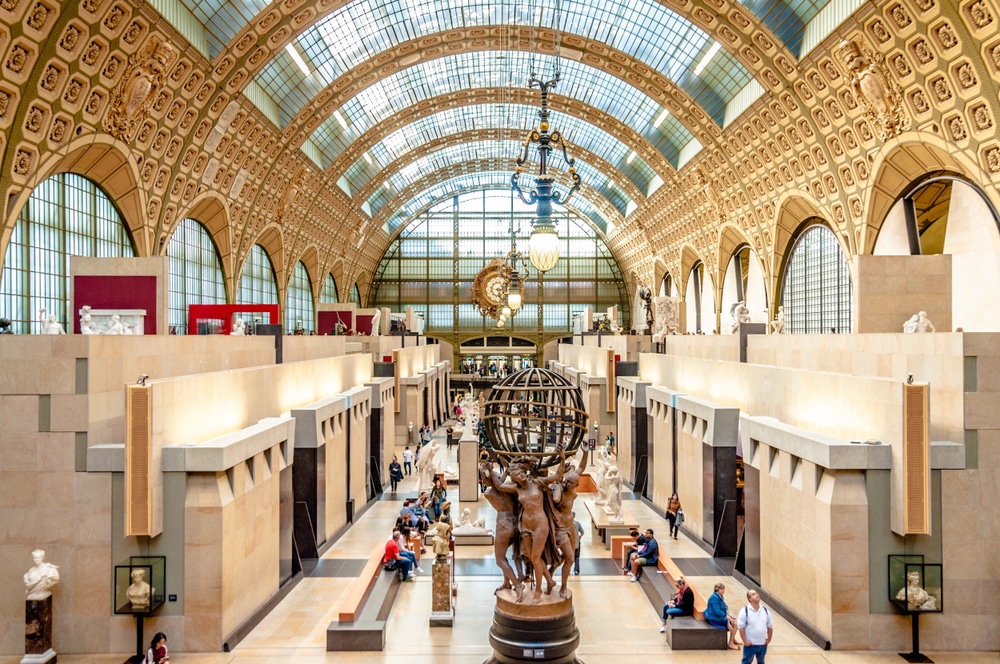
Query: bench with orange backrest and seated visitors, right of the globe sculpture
[[686, 633]]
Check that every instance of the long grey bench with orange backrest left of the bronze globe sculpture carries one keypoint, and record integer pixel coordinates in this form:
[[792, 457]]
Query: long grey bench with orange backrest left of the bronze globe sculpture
[[363, 613]]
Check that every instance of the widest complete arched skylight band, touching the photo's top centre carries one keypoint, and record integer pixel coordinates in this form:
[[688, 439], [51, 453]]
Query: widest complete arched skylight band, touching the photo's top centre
[[645, 30]]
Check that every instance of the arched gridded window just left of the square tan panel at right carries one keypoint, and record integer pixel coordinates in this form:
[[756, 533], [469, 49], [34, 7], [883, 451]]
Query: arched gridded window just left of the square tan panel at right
[[816, 286]]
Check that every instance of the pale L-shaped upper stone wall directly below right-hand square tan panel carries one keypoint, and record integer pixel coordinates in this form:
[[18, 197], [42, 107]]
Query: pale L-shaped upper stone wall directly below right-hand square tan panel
[[933, 358]]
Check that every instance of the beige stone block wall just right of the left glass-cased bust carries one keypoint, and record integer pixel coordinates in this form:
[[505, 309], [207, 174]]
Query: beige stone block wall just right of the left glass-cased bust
[[231, 568]]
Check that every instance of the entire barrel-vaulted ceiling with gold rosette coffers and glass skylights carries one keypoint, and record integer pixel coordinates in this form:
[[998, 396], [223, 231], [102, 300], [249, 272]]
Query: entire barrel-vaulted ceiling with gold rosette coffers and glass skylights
[[325, 126]]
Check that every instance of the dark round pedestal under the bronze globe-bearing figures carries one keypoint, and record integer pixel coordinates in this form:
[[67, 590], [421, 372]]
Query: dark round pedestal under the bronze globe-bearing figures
[[526, 632]]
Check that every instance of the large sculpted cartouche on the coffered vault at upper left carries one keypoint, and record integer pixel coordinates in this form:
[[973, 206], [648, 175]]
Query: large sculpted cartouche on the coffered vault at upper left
[[131, 98]]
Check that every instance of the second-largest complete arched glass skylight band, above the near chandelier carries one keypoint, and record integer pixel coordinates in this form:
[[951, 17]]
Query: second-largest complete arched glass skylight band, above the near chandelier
[[426, 80]]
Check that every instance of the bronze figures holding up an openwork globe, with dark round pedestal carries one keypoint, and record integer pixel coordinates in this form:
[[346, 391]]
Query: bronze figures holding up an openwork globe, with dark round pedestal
[[536, 422]]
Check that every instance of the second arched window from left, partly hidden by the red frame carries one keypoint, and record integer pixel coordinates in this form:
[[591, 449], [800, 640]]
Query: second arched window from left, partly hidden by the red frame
[[195, 272]]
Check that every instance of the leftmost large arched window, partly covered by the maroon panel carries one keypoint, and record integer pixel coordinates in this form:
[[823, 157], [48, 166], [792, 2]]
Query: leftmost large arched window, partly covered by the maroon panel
[[66, 215]]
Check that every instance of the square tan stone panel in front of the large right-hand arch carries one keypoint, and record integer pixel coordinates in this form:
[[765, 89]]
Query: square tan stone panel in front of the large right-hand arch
[[888, 290]]
